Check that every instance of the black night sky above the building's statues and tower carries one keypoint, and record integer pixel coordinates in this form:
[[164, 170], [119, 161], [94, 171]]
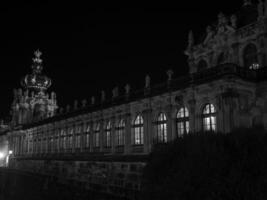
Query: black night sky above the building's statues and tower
[[88, 48]]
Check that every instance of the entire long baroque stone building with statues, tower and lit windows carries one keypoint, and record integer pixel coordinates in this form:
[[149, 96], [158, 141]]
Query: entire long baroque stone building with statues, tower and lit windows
[[105, 144]]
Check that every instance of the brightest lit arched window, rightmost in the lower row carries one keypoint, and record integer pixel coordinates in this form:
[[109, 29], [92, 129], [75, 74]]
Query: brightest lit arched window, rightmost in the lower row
[[209, 118]]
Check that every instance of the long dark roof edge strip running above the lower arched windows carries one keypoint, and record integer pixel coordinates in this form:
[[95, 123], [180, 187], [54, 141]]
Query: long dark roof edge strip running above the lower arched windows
[[197, 78]]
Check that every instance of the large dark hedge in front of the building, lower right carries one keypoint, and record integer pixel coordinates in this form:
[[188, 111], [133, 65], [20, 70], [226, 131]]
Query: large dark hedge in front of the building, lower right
[[209, 166]]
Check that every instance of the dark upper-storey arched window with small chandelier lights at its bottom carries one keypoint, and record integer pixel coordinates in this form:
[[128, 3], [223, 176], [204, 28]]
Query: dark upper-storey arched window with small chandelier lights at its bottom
[[250, 57]]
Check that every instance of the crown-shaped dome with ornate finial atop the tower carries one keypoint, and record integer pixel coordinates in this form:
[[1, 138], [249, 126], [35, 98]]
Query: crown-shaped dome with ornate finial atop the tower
[[36, 80]]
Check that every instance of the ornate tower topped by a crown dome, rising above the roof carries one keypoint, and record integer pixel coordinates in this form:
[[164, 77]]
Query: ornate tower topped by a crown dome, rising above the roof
[[34, 103]]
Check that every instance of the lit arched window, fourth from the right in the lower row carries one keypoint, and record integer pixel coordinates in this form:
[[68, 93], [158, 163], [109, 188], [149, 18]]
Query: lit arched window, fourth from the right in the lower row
[[138, 131]]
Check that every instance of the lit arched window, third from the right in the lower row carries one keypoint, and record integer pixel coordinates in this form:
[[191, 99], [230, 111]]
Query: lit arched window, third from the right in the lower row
[[161, 128]]
